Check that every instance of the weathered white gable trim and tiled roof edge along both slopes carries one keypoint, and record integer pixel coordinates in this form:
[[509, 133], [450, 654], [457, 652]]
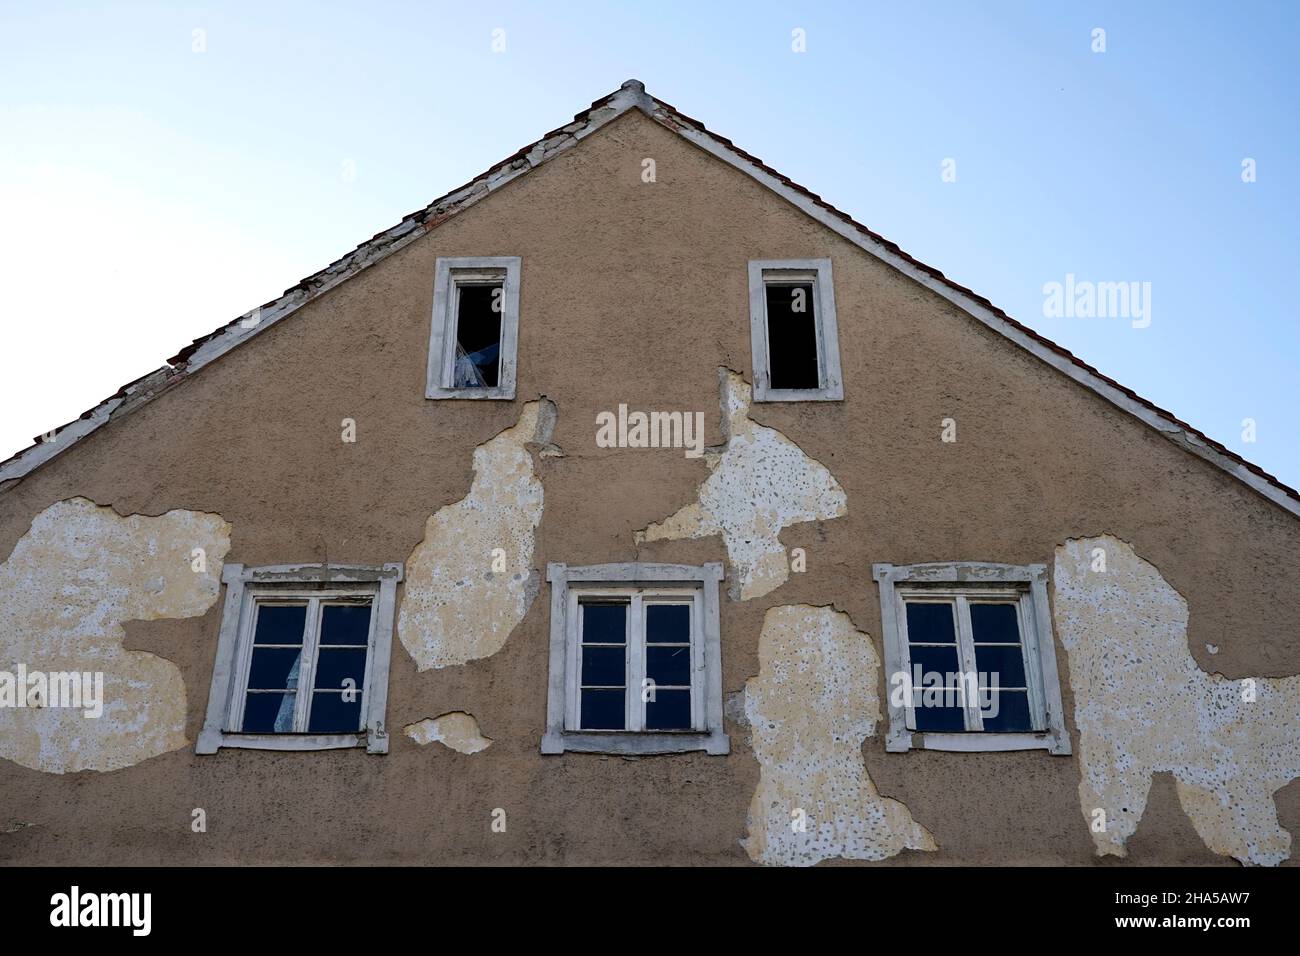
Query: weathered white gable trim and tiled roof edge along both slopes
[[632, 96]]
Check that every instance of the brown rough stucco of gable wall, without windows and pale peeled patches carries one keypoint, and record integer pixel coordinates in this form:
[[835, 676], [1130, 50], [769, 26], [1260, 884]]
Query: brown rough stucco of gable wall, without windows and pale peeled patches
[[634, 293]]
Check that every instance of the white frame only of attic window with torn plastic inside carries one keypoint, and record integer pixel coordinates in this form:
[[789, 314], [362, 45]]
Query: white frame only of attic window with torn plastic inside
[[449, 274]]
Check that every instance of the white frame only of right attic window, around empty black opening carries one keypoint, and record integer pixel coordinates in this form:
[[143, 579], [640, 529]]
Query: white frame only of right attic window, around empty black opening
[[818, 272]]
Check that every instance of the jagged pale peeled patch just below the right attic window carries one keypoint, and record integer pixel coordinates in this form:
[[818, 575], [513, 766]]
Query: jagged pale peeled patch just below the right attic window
[[761, 483]]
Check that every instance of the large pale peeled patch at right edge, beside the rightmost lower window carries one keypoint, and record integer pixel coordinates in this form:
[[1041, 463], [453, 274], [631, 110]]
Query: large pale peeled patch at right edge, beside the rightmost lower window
[[1143, 706]]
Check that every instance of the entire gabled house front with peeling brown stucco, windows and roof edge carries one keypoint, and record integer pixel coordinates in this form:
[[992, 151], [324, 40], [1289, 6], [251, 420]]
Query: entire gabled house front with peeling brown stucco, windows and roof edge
[[631, 505]]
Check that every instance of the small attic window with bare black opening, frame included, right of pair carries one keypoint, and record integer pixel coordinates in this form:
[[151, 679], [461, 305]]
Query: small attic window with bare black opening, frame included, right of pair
[[794, 335]]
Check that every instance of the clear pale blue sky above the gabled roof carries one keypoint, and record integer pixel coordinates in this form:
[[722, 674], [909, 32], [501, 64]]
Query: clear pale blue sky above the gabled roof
[[157, 183]]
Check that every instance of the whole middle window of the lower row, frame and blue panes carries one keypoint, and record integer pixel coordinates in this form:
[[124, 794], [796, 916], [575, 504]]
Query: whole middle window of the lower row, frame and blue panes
[[636, 661]]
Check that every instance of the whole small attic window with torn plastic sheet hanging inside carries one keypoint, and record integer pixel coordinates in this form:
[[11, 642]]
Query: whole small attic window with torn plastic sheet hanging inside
[[475, 331]]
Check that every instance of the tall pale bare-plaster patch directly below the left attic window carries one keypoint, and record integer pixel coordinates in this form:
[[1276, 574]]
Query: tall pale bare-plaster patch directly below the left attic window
[[457, 607]]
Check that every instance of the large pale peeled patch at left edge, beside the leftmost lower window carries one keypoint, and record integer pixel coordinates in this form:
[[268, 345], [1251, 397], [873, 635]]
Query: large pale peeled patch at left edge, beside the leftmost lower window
[[71, 582]]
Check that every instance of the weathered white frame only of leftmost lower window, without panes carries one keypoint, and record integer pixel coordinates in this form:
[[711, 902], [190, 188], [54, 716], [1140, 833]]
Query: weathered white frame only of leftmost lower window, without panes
[[317, 586]]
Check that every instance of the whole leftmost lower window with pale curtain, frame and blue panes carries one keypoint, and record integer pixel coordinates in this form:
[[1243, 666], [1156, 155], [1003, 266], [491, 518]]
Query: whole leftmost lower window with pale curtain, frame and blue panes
[[302, 659]]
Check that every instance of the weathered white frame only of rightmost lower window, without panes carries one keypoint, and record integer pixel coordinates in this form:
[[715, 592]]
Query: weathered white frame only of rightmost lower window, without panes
[[960, 585]]
